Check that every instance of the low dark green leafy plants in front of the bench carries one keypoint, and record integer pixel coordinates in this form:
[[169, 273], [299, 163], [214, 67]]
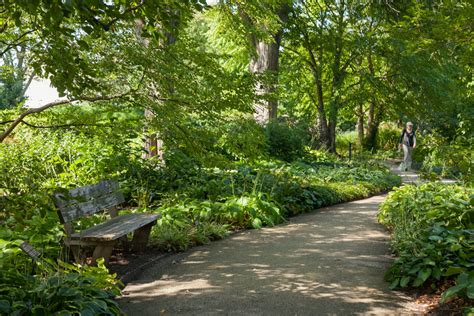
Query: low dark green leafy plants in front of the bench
[[59, 289]]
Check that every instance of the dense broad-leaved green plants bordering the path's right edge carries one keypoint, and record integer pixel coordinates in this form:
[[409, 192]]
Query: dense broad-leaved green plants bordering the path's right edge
[[432, 229]]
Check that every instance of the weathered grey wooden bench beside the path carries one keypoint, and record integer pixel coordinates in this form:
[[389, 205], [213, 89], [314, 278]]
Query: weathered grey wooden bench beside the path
[[85, 201]]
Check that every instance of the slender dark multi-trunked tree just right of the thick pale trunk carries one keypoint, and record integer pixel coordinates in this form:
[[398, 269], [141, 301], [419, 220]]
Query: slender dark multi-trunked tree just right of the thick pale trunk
[[323, 34]]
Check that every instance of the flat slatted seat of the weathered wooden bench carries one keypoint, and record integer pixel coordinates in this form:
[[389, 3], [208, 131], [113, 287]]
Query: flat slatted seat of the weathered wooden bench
[[116, 227]]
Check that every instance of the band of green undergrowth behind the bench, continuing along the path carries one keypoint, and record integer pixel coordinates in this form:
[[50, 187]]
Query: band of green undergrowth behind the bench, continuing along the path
[[237, 195]]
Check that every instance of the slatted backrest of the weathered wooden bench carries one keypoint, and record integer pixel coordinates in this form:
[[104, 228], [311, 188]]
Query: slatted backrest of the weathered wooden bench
[[77, 203]]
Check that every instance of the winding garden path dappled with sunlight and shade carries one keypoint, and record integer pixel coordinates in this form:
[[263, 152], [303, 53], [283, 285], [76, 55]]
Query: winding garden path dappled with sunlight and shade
[[331, 261]]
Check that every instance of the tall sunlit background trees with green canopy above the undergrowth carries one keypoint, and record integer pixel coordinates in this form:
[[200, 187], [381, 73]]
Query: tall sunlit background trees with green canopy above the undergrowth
[[330, 66]]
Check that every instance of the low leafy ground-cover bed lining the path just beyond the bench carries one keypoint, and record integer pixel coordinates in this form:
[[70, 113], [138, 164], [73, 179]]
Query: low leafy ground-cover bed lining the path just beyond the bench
[[266, 193]]
